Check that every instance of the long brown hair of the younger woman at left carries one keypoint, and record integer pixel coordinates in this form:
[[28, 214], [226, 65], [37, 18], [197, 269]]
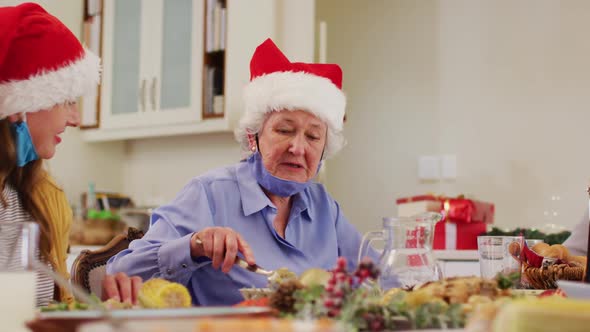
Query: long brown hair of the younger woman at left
[[23, 180]]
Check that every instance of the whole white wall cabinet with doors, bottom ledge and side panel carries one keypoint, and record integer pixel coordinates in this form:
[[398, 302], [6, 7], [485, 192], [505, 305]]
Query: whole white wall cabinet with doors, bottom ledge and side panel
[[155, 60]]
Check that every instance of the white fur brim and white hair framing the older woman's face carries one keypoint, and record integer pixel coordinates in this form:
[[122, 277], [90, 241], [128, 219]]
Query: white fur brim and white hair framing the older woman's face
[[290, 91]]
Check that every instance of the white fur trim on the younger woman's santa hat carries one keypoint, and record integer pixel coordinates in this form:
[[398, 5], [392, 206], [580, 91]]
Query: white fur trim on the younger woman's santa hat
[[49, 88]]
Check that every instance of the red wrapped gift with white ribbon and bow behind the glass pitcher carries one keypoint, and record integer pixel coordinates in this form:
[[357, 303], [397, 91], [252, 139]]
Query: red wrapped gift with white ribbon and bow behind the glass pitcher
[[464, 219]]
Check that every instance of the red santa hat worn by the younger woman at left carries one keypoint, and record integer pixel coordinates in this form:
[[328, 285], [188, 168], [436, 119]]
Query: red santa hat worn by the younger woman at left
[[42, 63]]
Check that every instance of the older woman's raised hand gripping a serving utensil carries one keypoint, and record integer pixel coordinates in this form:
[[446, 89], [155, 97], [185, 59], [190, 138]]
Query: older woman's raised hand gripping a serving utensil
[[221, 244]]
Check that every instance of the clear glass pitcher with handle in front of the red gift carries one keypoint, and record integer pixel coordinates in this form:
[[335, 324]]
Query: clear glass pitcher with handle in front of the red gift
[[407, 258]]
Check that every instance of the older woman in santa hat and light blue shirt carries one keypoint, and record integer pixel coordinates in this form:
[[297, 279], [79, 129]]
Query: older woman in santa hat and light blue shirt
[[266, 208]]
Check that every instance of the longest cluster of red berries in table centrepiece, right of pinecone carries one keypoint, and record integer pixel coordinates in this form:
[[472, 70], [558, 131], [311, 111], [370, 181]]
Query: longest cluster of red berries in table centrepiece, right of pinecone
[[339, 285]]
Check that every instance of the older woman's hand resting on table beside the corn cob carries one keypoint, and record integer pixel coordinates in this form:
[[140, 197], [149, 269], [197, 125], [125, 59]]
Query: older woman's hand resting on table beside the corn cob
[[120, 287]]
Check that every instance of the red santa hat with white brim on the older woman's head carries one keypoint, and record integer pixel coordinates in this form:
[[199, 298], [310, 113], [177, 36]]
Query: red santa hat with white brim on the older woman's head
[[279, 84]]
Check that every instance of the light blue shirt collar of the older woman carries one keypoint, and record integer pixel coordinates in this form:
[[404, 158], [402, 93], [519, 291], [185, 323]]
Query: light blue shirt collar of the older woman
[[254, 199]]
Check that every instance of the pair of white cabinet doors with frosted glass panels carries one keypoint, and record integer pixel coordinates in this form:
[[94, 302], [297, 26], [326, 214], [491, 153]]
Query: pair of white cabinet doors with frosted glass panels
[[152, 53]]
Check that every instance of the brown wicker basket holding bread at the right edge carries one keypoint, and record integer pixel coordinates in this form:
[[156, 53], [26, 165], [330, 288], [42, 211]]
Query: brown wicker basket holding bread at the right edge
[[546, 277]]
